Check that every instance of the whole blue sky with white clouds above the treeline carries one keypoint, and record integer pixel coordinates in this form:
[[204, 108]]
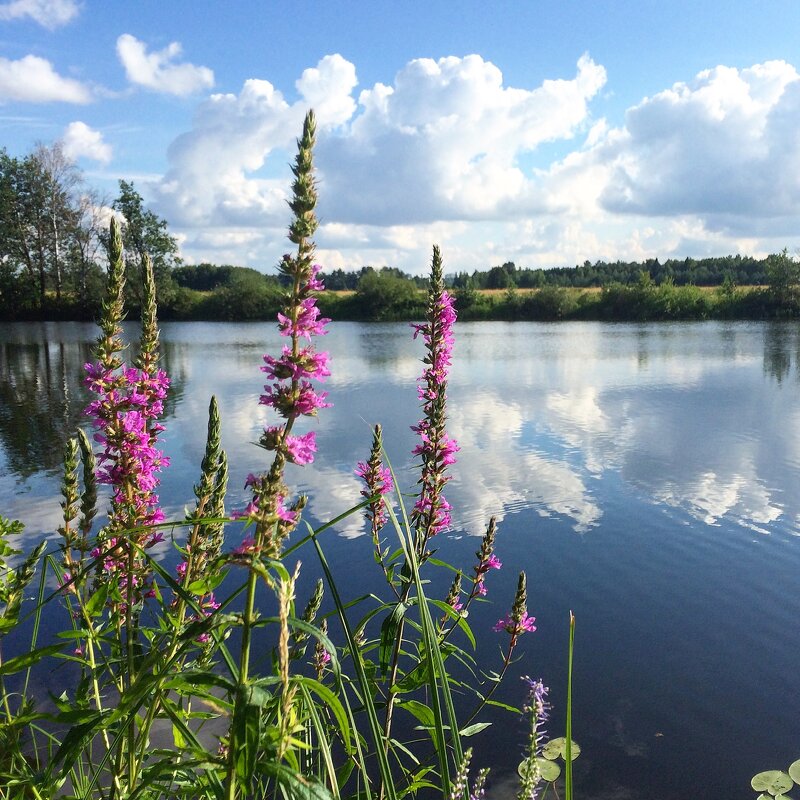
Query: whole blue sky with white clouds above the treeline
[[546, 132]]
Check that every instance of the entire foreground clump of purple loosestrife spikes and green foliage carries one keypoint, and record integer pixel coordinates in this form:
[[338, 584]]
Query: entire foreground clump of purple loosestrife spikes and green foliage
[[152, 651]]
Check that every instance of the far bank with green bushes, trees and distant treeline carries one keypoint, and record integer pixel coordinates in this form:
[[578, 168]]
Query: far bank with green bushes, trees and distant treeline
[[53, 242]]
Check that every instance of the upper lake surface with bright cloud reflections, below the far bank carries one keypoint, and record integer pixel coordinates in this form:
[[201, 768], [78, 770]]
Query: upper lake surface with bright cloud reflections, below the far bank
[[695, 417]]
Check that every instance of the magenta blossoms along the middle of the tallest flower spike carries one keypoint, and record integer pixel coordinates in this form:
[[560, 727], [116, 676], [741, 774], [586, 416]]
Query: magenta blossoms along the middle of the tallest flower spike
[[291, 392]]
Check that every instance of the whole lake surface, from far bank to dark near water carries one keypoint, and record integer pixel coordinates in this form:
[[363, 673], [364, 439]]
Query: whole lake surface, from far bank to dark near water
[[645, 476]]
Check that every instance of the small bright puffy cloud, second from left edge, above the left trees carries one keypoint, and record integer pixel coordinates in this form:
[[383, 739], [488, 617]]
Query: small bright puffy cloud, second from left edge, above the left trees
[[158, 70]]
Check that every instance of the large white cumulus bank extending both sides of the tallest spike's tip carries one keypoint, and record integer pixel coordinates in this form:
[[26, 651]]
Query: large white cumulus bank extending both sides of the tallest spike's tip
[[440, 144]]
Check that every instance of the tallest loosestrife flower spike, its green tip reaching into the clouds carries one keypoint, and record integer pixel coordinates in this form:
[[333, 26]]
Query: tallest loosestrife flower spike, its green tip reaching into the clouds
[[290, 392]]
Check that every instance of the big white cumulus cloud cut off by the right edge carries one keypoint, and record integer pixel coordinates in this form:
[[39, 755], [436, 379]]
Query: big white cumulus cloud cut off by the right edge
[[723, 147]]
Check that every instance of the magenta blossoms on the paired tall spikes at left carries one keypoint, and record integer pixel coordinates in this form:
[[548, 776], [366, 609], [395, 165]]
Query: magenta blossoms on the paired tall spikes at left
[[128, 402]]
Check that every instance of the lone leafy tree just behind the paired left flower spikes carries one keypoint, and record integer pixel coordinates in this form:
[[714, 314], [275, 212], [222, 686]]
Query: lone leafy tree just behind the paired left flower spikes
[[144, 233]]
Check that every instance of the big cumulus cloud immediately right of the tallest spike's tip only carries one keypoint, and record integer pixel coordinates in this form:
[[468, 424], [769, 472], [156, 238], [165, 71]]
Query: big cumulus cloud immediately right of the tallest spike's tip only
[[443, 142]]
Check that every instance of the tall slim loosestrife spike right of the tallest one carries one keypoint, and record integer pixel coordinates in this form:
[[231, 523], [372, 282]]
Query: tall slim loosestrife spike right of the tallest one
[[436, 449]]
